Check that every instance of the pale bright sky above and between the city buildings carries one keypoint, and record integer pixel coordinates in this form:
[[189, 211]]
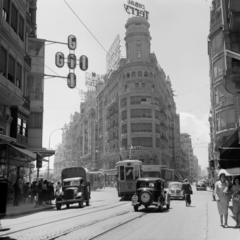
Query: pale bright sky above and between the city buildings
[[179, 31]]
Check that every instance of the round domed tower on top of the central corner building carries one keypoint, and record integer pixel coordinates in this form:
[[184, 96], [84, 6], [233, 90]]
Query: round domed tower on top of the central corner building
[[137, 40]]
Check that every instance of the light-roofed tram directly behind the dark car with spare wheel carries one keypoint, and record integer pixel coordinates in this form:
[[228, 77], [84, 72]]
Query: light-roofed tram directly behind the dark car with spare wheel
[[128, 171]]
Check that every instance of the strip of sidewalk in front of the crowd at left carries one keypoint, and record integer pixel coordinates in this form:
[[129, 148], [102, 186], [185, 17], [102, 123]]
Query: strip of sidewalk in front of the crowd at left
[[25, 208]]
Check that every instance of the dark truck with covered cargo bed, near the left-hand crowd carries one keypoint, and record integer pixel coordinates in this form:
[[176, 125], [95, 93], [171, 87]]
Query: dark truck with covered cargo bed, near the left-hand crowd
[[75, 187]]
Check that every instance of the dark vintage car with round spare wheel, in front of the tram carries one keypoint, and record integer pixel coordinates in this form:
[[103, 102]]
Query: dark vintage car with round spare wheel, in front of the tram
[[150, 191]]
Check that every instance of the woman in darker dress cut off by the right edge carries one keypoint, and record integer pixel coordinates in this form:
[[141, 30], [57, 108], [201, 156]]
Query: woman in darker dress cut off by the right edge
[[235, 191]]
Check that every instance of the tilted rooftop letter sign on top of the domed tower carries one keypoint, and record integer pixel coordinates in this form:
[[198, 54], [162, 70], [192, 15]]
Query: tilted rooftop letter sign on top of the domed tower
[[136, 9]]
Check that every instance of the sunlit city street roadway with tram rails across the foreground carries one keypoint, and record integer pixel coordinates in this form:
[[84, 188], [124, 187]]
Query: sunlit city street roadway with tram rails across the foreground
[[109, 218]]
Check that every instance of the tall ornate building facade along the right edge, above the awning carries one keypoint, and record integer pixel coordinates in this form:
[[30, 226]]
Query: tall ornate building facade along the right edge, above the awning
[[224, 75]]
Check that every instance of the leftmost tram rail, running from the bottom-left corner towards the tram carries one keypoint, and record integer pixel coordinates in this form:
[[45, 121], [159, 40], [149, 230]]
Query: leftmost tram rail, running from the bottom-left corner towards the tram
[[59, 220]]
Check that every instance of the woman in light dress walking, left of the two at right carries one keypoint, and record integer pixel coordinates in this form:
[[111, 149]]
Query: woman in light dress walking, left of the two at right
[[222, 197]]
